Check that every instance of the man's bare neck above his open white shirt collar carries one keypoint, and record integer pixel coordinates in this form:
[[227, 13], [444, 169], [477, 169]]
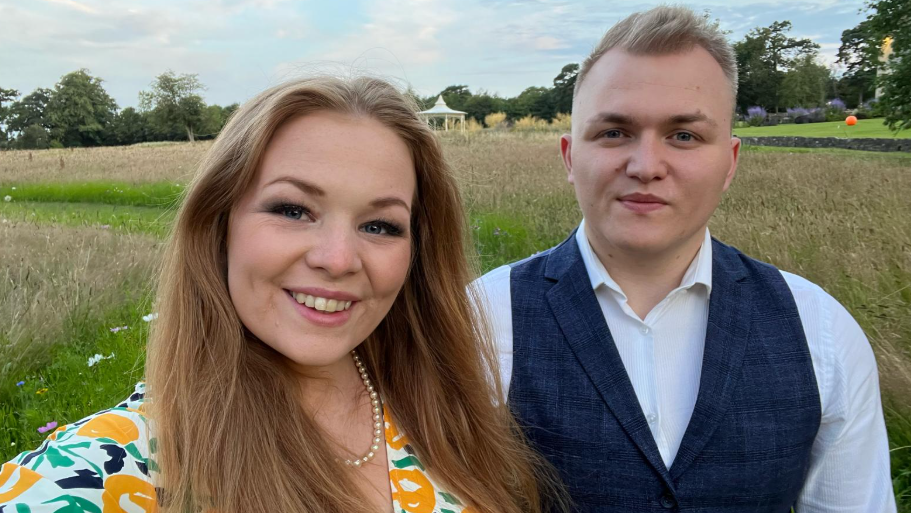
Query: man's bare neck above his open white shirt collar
[[647, 279]]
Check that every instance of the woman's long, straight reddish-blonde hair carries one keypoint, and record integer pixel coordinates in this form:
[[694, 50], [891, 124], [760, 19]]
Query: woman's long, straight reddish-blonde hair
[[231, 433]]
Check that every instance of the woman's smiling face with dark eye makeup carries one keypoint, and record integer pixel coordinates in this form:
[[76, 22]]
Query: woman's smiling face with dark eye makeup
[[320, 245]]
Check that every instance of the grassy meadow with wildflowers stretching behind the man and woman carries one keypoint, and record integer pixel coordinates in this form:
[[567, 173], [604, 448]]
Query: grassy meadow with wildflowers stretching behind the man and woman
[[81, 241]]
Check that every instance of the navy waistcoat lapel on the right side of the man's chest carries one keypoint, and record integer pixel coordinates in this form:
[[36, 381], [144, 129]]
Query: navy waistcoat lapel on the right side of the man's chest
[[726, 338]]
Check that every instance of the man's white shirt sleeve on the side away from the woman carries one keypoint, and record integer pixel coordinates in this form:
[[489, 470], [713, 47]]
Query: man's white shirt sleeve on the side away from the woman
[[849, 463]]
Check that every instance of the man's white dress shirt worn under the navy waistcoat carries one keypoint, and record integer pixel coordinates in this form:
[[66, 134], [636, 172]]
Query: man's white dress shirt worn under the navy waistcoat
[[662, 354]]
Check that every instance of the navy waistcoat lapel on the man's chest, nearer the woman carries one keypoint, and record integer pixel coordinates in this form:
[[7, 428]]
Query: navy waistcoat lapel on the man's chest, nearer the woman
[[582, 322]]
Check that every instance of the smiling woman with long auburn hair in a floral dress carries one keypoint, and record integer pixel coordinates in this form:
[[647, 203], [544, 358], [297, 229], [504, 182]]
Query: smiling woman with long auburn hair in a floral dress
[[316, 349]]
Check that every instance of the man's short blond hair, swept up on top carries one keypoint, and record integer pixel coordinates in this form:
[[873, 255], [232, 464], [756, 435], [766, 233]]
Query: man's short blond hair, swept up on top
[[665, 30]]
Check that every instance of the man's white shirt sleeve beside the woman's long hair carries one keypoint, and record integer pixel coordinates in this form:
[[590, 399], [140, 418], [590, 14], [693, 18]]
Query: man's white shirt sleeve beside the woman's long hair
[[493, 292]]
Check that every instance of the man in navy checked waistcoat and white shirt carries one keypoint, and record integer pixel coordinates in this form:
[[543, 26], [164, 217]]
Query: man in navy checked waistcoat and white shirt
[[656, 368]]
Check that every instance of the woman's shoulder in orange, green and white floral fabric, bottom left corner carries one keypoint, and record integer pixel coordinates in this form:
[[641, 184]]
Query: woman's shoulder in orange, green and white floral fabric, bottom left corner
[[87, 465]]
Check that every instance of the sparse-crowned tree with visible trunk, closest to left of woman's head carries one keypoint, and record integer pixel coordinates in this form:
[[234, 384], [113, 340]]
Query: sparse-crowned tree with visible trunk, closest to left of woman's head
[[174, 100]]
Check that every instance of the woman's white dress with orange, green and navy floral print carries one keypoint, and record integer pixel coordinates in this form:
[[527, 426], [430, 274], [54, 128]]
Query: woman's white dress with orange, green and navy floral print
[[102, 464]]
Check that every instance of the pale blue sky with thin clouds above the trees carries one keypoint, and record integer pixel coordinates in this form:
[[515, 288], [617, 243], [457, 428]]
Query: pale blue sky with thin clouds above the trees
[[240, 47]]
